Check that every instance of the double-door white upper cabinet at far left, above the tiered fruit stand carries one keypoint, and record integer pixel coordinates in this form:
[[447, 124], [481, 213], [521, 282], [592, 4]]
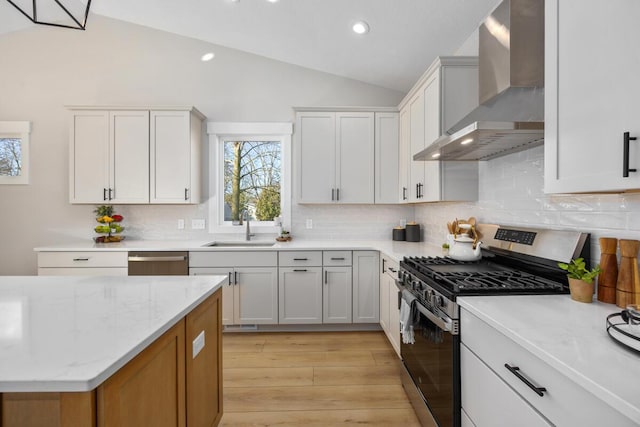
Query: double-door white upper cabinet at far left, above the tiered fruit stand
[[109, 157]]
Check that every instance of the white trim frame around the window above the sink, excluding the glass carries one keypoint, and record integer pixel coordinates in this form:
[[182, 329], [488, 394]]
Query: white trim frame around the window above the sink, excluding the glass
[[219, 132]]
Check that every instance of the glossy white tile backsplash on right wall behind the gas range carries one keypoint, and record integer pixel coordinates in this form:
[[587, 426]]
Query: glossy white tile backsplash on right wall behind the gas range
[[511, 192]]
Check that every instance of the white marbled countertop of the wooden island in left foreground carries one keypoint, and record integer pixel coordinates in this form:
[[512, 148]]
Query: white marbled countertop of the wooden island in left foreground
[[71, 333]]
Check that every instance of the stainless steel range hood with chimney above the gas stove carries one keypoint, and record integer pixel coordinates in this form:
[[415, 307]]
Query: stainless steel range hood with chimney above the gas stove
[[510, 116]]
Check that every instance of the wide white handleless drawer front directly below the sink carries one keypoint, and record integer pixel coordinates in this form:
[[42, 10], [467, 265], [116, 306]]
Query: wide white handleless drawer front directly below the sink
[[233, 259]]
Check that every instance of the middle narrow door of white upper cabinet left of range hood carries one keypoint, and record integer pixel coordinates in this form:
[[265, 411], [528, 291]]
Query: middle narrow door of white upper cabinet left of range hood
[[416, 138]]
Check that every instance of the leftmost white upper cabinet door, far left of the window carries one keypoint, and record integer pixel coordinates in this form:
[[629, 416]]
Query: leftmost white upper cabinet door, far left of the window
[[89, 157]]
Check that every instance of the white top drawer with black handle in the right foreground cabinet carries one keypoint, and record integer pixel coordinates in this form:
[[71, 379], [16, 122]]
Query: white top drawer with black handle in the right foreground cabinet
[[564, 402]]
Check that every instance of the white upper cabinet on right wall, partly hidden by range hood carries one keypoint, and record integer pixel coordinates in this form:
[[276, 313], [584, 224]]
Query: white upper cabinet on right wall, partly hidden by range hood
[[446, 92]]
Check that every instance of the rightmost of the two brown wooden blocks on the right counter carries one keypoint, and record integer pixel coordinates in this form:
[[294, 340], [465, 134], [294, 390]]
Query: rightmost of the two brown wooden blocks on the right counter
[[628, 284]]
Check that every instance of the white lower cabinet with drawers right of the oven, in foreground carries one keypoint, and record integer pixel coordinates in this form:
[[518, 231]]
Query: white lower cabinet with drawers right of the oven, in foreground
[[494, 395]]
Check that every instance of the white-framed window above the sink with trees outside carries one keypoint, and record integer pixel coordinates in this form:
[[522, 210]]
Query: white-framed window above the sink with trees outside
[[249, 176]]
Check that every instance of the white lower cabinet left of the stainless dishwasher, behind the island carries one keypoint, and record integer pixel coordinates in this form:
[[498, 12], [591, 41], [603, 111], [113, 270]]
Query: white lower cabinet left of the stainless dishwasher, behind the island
[[93, 263]]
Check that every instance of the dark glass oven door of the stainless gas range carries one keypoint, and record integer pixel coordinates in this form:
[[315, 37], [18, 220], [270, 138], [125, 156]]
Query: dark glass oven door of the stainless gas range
[[433, 364]]
